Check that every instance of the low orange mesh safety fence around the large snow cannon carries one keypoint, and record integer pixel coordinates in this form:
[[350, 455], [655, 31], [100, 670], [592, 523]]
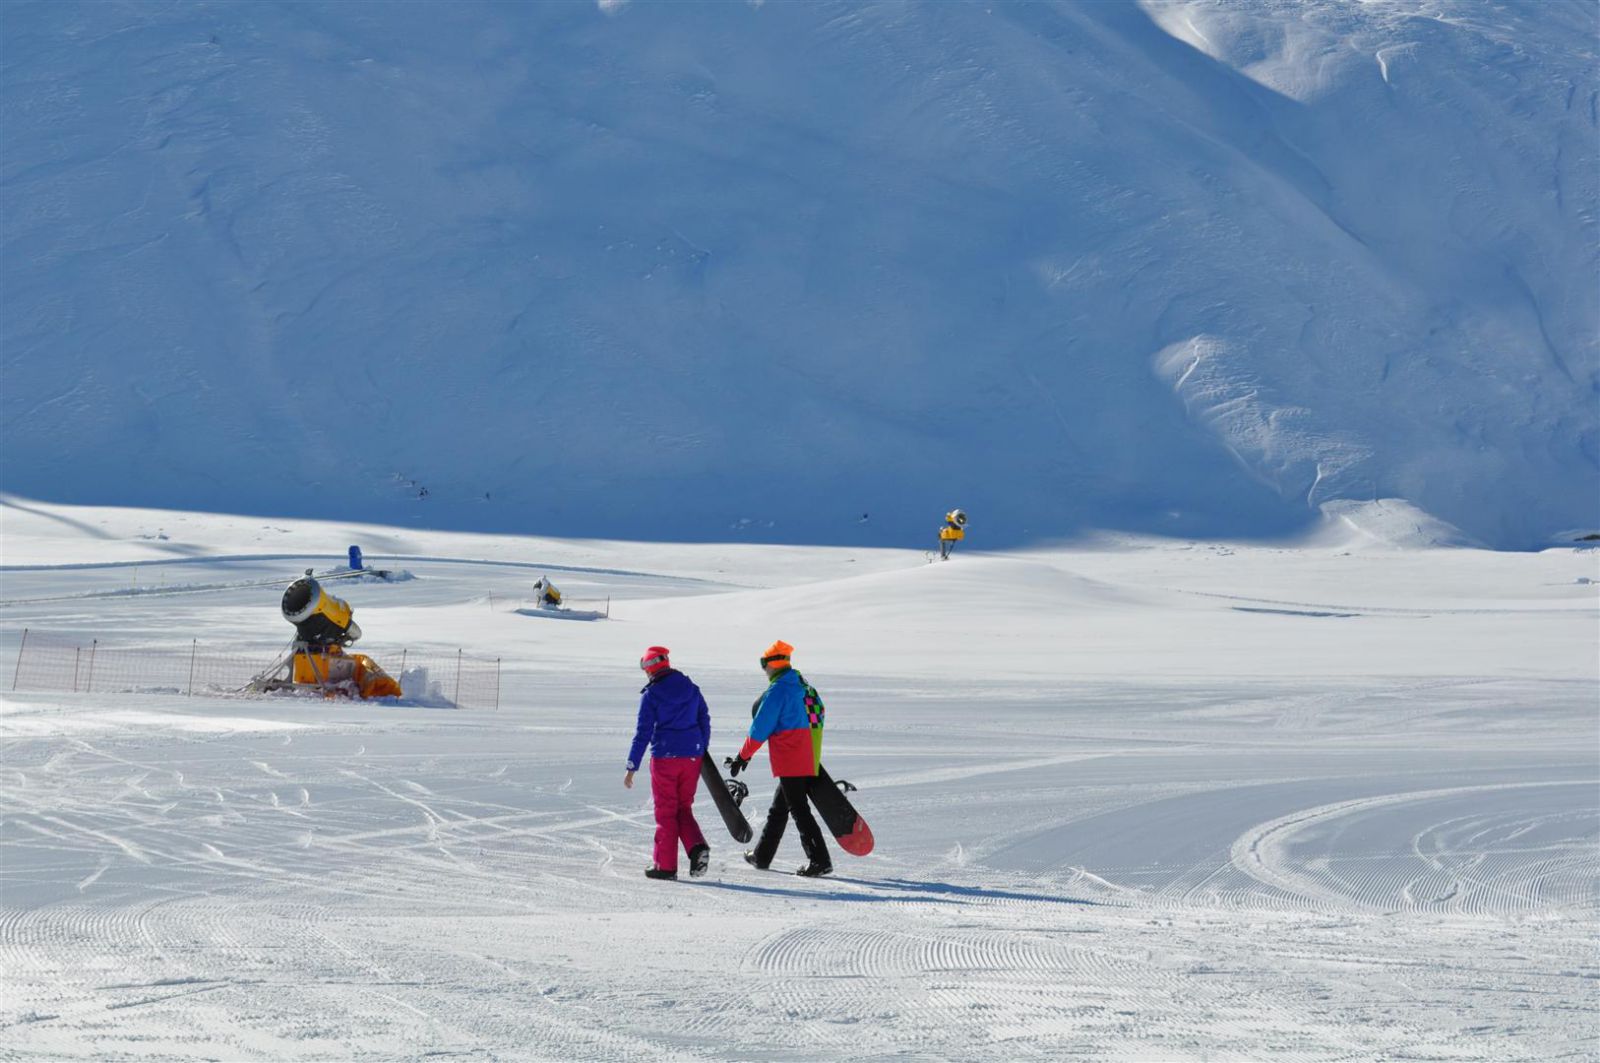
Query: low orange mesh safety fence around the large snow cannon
[[73, 664]]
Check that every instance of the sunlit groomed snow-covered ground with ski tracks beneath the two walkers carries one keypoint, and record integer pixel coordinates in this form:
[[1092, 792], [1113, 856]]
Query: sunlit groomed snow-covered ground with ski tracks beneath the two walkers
[[1134, 800]]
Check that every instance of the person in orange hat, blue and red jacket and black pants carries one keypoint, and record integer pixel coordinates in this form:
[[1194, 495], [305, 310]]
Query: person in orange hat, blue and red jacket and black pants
[[793, 731]]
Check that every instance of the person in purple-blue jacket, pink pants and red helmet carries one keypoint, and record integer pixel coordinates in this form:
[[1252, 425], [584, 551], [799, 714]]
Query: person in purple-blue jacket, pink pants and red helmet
[[676, 724]]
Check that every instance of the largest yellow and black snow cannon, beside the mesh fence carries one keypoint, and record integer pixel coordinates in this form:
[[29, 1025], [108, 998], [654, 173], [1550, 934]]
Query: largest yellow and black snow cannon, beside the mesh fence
[[316, 660]]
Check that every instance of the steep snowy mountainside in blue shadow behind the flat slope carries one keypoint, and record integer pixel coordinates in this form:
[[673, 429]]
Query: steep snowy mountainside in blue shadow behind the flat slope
[[689, 271]]
